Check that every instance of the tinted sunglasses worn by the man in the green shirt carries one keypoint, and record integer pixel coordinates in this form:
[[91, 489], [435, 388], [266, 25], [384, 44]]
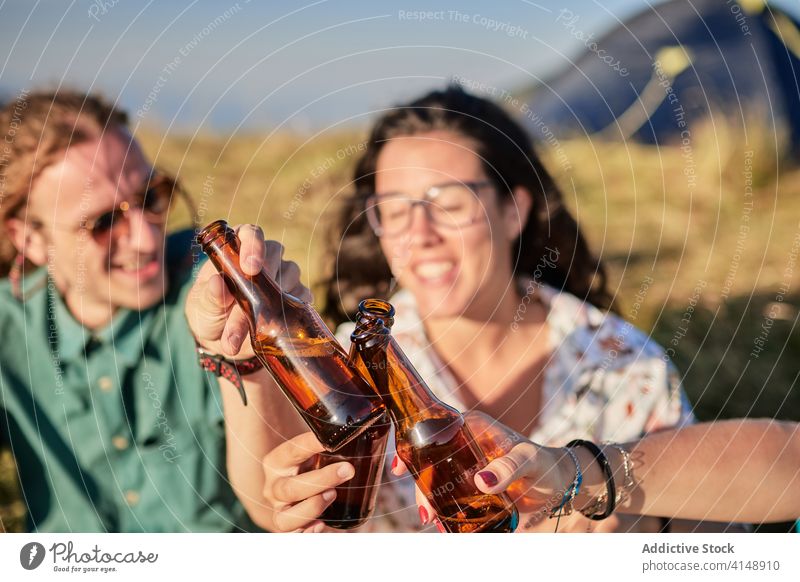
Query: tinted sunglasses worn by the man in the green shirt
[[153, 201]]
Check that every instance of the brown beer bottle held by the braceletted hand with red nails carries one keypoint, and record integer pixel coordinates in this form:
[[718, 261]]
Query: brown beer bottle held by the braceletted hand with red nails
[[432, 438]]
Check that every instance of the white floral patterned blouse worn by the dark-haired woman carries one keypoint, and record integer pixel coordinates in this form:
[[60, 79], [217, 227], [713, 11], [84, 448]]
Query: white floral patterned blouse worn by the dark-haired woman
[[605, 381]]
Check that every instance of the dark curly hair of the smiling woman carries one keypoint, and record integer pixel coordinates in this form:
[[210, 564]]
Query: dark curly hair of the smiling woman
[[509, 160]]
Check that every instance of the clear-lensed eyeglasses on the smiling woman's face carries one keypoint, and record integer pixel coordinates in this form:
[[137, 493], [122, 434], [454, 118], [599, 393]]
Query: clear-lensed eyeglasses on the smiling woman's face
[[452, 205]]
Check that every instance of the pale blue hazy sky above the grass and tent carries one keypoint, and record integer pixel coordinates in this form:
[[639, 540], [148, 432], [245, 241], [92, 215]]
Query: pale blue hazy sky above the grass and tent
[[233, 65]]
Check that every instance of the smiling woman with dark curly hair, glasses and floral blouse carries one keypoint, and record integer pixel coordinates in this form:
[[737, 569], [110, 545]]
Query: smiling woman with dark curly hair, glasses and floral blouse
[[500, 304]]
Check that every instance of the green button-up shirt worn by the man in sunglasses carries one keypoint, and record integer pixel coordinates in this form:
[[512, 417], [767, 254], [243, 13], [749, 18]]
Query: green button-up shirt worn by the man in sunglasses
[[117, 429]]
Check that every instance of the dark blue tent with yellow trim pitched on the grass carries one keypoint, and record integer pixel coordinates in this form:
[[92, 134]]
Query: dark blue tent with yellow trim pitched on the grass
[[673, 65]]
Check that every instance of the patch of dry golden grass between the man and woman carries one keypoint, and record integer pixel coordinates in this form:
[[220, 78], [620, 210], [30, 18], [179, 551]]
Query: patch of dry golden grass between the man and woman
[[285, 183]]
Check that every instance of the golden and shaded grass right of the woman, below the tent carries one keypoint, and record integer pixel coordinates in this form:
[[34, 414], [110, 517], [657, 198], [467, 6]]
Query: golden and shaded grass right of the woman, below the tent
[[706, 239]]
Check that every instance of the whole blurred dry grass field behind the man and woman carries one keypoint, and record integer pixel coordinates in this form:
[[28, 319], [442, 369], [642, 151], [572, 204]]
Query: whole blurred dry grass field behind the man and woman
[[701, 243]]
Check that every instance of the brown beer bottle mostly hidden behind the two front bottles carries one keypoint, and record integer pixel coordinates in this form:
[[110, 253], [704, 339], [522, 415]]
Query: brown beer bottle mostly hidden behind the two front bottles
[[355, 499]]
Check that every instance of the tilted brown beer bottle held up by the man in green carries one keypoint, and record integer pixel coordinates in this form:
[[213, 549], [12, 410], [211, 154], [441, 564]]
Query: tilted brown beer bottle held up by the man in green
[[296, 346]]
